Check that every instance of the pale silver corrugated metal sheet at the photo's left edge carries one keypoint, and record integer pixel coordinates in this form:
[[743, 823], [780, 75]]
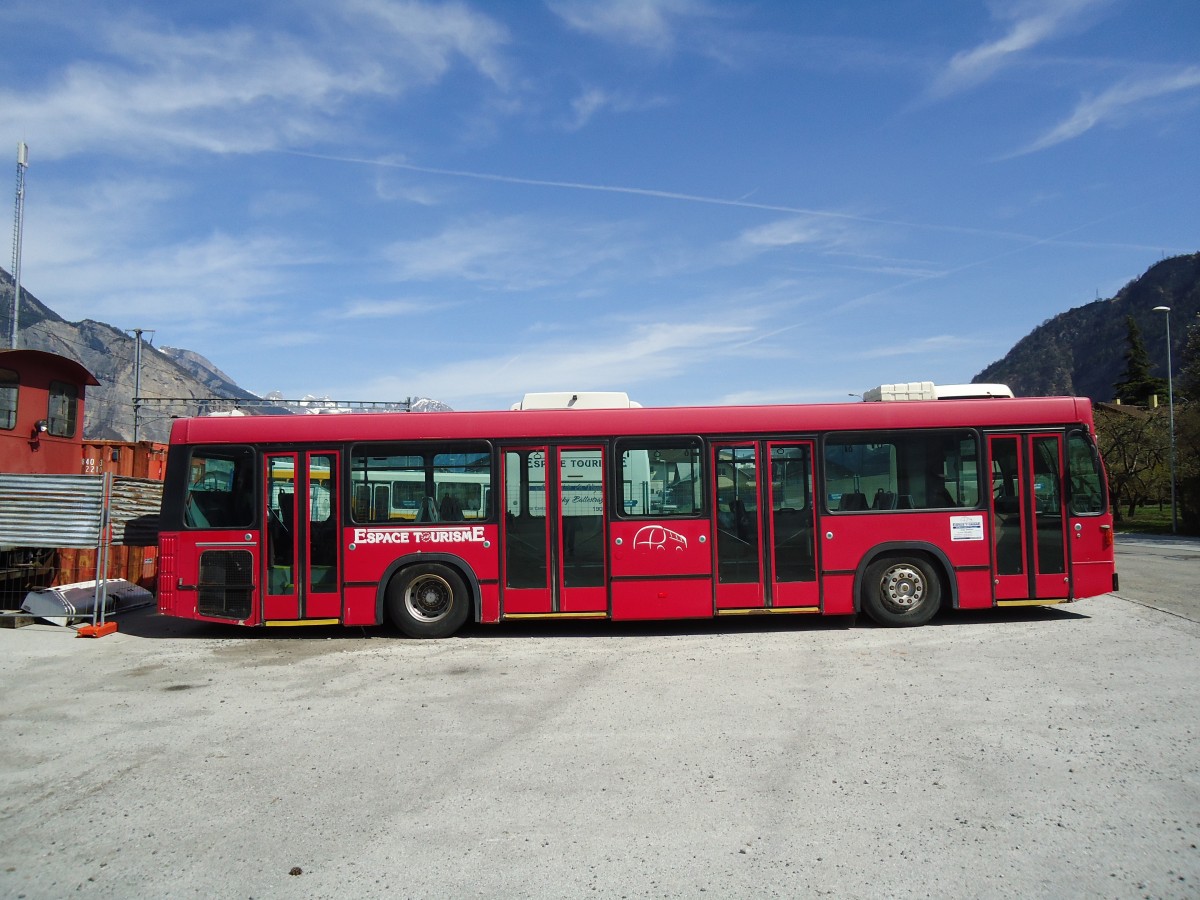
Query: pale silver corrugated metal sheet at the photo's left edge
[[51, 511]]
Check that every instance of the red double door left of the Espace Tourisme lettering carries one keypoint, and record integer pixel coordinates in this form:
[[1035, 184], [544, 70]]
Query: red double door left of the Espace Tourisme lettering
[[302, 556]]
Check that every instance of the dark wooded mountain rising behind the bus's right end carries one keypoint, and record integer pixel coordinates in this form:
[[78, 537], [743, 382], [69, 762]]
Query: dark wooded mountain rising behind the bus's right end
[[1082, 352]]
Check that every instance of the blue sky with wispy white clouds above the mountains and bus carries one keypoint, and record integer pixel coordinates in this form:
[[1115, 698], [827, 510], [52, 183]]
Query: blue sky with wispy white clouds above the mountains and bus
[[695, 202]]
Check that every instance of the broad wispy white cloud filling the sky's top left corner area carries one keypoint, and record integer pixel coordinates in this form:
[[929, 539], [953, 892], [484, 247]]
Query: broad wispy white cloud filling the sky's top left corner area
[[153, 89]]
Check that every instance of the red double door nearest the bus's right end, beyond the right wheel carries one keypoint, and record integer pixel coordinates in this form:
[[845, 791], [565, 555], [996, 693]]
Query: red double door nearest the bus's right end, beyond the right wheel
[[1029, 521]]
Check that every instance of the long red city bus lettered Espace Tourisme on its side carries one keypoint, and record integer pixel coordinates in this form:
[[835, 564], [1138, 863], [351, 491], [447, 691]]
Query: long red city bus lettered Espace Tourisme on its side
[[430, 520]]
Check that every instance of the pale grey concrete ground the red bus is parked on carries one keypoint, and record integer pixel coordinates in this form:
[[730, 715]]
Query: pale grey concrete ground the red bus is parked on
[[1021, 753]]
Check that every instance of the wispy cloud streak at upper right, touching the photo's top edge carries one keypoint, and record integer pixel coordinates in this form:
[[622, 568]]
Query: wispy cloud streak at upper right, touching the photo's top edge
[[1031, 23]]
